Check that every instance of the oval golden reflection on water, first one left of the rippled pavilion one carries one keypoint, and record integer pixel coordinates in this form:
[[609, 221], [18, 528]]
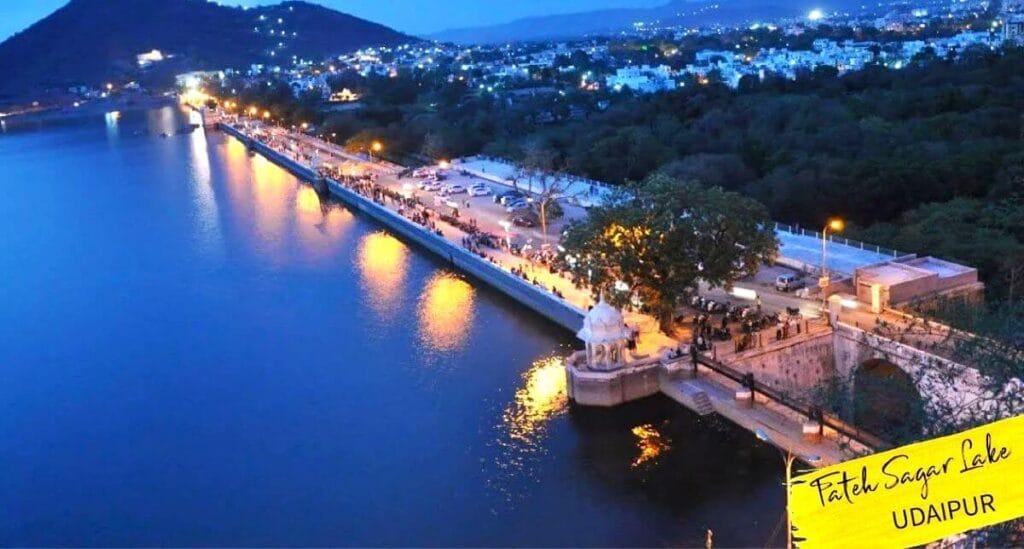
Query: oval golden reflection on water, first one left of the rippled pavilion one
[[446, 313]]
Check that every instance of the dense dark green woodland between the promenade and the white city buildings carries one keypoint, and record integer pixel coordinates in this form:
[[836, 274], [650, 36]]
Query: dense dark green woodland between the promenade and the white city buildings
[[871, 147]]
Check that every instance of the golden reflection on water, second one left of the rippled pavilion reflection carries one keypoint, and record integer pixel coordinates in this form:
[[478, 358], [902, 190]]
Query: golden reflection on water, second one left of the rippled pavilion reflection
[[382, 267]]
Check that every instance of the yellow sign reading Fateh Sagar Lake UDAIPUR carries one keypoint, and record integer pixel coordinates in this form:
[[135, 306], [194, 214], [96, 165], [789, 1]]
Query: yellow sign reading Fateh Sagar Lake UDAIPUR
[[915, 494]]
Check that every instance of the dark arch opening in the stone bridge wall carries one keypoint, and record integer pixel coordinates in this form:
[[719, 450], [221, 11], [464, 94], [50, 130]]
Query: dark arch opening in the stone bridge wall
[[887, 403]]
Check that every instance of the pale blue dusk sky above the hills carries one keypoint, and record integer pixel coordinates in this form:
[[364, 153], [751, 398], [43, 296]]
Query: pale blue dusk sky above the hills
[[416, 17]]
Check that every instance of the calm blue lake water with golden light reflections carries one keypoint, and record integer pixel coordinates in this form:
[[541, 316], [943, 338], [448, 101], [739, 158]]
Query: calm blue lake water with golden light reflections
[[196, 350]]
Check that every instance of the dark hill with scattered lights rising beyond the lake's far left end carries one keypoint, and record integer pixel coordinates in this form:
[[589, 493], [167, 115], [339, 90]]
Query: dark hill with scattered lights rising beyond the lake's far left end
[[90, 41]]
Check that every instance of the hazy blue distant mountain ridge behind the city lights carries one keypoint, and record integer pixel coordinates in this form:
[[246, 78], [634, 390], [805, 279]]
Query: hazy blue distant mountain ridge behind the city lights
[[609, 21]]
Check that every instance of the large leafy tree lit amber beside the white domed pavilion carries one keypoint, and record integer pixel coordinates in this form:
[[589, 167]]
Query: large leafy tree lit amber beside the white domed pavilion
[[659, 243]]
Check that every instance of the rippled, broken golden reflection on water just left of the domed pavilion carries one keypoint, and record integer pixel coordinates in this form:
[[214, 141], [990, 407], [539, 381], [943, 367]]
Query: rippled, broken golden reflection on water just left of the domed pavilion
[[541, 398]]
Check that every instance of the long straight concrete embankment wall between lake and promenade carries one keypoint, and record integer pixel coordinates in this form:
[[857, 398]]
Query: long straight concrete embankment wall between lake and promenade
[[547, 306]]
